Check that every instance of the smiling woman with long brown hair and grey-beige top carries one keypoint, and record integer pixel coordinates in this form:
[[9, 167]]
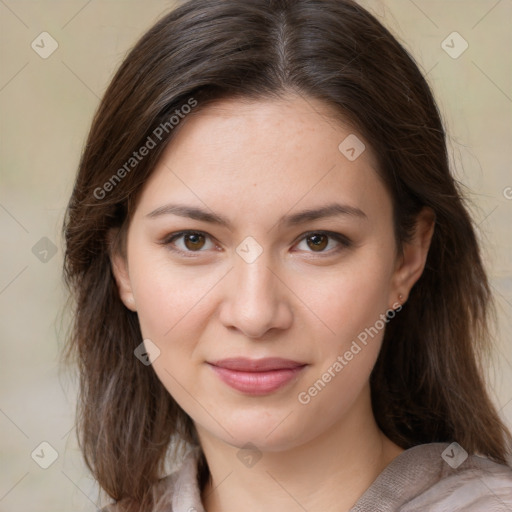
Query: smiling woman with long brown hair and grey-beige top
[[274, 270]]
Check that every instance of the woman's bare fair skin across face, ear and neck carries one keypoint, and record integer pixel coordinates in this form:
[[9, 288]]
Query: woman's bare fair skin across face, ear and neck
[[254, 162]]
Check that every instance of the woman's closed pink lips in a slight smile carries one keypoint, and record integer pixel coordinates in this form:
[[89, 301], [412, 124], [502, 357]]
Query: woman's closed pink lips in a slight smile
[[256, 376]]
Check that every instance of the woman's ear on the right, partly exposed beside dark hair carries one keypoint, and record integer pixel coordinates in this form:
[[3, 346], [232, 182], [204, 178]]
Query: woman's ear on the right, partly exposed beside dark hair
[[411, 262]]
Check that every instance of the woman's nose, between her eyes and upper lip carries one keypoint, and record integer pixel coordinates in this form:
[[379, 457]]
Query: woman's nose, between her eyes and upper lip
[[256, 300]]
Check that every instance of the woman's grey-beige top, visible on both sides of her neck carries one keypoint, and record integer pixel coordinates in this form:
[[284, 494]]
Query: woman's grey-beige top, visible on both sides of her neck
[[419, 479]]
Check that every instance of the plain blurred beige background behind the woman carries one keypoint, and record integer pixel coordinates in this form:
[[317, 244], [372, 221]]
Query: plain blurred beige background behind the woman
[[47, 106]]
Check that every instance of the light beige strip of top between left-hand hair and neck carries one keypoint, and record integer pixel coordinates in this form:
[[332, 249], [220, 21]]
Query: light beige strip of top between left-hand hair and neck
[[177, 491]]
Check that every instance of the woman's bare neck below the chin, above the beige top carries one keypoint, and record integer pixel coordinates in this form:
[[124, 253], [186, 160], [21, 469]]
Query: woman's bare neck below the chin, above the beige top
[[329, 472]]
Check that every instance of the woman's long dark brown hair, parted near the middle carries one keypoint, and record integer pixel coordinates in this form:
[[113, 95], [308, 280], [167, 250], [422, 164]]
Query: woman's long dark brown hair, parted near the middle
[[427, 384]]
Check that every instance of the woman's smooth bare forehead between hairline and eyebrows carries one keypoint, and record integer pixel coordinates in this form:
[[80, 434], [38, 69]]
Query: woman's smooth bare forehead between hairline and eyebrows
[[250, 158]]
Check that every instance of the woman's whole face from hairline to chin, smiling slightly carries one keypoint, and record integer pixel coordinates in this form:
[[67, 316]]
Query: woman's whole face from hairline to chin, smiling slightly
[[267, 317]]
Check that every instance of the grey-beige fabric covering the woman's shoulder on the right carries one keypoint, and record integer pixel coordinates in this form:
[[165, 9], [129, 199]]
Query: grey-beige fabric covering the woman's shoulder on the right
[[439, 477]]
